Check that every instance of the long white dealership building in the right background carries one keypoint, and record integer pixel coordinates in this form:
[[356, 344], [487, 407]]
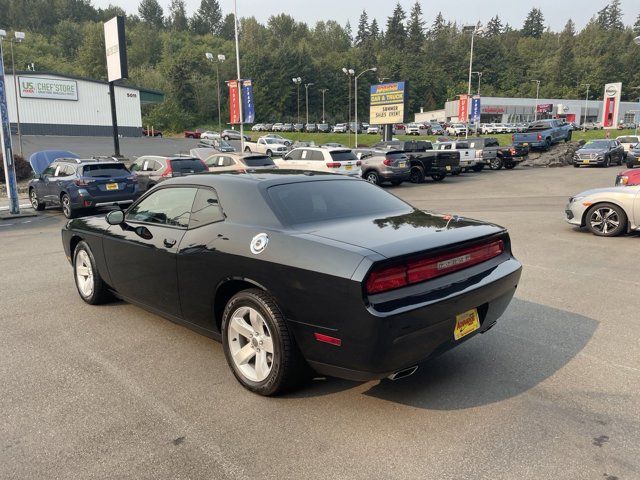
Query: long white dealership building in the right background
[[515, 110]]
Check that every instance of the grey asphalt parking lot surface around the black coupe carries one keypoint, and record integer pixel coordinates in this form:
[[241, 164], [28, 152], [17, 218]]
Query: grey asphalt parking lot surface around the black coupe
[[553, 391]]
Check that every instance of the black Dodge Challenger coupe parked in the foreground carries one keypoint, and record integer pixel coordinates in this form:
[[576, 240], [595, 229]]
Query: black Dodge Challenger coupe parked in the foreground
[[292, 271]]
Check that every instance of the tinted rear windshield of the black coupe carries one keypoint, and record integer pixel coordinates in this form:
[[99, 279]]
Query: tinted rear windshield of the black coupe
[[322, 201]]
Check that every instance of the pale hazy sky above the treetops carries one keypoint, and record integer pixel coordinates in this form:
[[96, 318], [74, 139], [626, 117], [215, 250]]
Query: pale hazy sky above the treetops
[[556, 12]]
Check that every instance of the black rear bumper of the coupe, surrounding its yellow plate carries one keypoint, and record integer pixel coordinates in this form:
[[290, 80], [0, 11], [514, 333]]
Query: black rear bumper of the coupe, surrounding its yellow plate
[[384, 341]]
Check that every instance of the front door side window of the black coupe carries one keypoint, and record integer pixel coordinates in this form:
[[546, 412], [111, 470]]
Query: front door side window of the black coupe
[[166, 206]]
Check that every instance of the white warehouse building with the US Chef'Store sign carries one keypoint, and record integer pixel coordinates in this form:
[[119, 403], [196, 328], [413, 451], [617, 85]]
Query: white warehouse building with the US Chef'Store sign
[[56, 104]]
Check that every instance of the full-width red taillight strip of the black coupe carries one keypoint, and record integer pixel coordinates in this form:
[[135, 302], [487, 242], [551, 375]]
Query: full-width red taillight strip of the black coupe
[[416, 271]]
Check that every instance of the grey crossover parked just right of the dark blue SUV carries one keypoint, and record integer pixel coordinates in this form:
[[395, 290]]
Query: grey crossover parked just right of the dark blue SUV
[[152, 169]]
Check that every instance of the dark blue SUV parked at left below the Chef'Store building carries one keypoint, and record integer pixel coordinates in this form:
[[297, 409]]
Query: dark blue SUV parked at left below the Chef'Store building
[[77, 184]]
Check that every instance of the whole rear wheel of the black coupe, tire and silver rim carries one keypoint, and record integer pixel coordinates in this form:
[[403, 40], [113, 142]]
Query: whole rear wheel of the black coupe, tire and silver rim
[[258, 346]]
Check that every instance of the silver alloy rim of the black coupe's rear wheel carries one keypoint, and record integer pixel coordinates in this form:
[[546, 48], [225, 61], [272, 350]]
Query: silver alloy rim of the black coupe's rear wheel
[[250, 344]]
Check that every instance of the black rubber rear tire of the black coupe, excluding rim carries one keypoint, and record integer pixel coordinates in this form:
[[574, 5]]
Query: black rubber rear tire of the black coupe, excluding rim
[[288, 368]]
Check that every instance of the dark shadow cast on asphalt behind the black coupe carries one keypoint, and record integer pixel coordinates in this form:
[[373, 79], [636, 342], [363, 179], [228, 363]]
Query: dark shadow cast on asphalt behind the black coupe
[[529, 344]]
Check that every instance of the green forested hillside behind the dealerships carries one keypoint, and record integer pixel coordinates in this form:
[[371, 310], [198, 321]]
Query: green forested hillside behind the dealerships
[[167, 52]]
